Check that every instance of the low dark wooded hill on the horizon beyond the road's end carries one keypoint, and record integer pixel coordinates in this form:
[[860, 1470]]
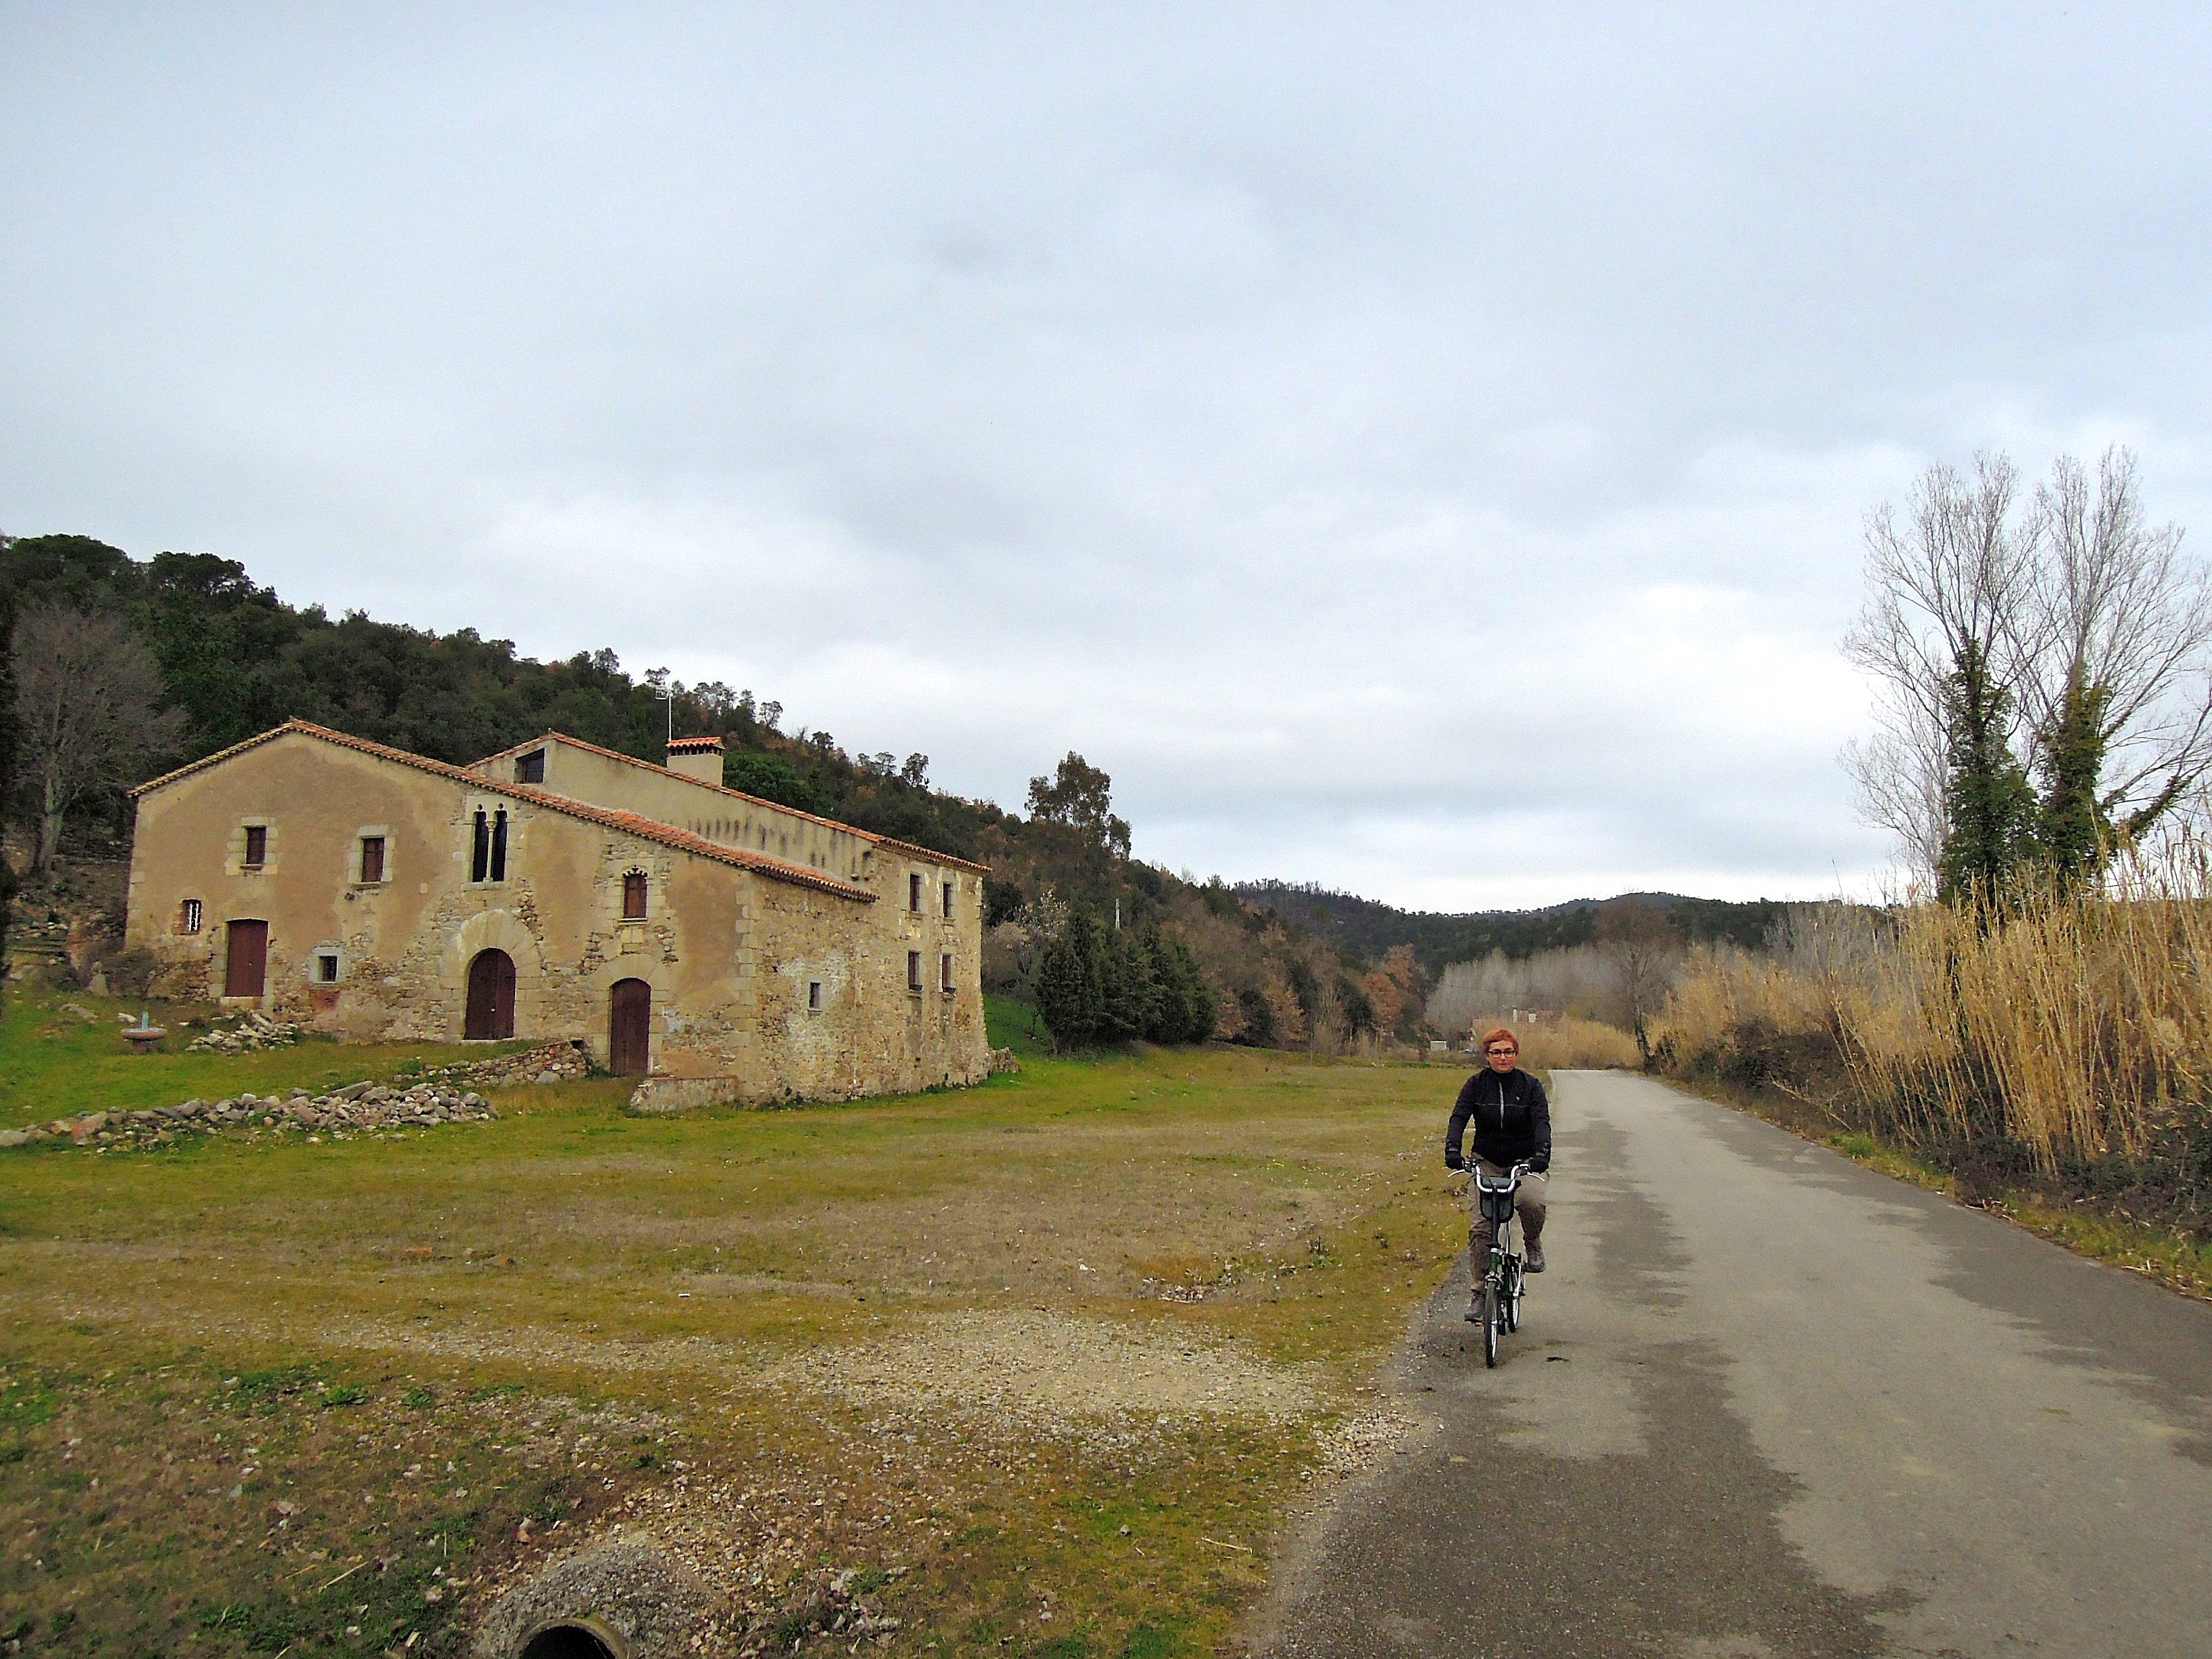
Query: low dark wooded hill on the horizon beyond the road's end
[[1366, 928]]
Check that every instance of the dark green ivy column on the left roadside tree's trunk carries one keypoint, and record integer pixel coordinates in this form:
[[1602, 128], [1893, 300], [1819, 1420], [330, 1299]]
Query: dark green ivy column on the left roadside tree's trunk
[[1990, 806]]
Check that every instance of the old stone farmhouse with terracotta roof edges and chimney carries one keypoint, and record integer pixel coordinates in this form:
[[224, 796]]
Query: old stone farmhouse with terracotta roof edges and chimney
[[716, 946]]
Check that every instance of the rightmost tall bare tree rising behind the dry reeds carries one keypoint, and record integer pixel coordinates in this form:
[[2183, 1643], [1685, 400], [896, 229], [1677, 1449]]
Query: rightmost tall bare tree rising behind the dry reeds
[[2116, 623]]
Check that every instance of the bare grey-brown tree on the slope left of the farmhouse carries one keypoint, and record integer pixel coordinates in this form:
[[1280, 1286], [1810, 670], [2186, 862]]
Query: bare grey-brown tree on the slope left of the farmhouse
[[87, 709]]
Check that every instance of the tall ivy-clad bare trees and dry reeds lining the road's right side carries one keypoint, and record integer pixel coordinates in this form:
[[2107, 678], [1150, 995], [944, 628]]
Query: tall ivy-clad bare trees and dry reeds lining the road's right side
[[2032, 1027]]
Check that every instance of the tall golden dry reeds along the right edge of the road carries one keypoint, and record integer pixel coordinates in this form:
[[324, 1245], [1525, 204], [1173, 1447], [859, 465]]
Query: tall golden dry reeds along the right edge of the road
[[2065, 1039]]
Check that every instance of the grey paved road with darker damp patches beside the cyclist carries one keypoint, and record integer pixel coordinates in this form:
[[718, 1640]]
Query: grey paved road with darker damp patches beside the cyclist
[[1768, 1404]]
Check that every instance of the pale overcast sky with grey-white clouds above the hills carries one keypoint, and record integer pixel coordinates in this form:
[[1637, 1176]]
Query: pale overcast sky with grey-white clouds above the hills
[[1415, 450]]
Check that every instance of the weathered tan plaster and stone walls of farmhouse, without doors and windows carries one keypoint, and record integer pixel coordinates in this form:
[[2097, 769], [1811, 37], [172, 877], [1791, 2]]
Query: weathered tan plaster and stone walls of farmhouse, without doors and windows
[[729, 952]]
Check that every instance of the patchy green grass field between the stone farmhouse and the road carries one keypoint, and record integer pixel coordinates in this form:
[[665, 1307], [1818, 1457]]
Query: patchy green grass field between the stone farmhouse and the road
[[1043, 1364]]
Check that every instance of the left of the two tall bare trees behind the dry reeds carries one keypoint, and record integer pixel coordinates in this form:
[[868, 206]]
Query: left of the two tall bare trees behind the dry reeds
[[1943, 589]]
